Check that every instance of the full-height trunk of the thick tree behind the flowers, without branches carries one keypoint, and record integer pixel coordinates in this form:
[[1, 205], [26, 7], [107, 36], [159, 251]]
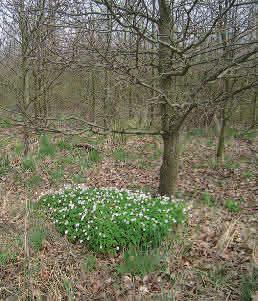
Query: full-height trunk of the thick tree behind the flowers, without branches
[[169, 167]]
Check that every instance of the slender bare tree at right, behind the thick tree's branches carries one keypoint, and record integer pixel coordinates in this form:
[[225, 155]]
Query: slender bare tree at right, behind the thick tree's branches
[[230, 29]]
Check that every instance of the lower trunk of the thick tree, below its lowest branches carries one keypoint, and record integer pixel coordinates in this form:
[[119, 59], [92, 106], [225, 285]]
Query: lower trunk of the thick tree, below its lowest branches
[[170, 163]]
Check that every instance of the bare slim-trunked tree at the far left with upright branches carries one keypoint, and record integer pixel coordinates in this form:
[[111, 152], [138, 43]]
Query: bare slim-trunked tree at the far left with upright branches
[[41, 57]]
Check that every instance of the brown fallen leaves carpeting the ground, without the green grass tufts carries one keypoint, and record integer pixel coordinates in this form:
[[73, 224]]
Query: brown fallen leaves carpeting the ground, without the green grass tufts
[[205, 261]]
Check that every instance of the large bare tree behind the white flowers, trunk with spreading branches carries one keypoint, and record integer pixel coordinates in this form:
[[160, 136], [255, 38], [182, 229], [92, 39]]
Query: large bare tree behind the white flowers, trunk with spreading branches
[[188, 61]]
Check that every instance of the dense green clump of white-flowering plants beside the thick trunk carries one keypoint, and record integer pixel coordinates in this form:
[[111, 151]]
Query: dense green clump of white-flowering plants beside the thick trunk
[[108, 220]]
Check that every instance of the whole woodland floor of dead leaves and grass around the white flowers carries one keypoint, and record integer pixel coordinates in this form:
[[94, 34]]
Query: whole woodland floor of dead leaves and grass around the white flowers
[[213, 257]]
